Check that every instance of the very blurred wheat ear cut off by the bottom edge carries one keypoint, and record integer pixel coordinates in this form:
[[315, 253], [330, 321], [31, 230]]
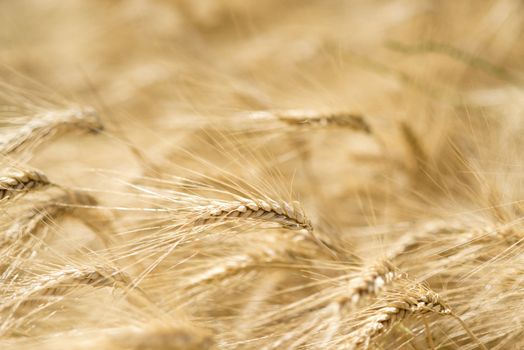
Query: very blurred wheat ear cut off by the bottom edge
[[162, 337]]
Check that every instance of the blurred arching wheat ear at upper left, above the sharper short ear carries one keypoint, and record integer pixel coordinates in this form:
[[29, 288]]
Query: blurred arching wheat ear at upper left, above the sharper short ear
[[47, 124]]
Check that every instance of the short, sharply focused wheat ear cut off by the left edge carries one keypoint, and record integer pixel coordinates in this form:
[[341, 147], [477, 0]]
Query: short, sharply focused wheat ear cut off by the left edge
[[15, 183]]
